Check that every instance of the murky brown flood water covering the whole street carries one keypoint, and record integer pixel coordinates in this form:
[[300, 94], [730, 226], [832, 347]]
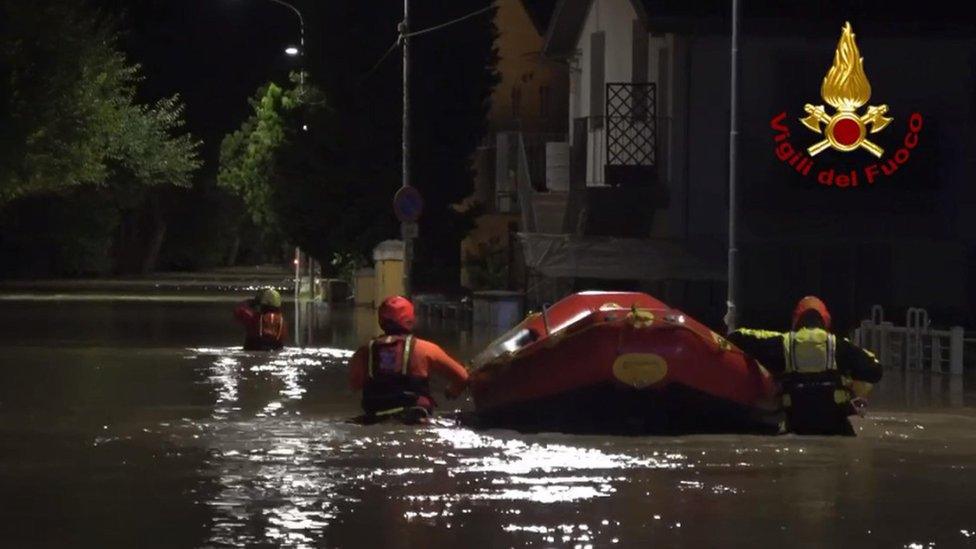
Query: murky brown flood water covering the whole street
[[137, 423]]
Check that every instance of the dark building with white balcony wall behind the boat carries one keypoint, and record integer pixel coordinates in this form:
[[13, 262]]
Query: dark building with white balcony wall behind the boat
[[902, 240]]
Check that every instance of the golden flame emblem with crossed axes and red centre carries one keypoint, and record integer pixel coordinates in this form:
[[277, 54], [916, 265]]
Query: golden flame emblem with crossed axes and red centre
[[846, 88]]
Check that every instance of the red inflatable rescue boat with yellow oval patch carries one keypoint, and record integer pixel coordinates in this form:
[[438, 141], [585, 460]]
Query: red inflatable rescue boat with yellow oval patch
[[620, 362]]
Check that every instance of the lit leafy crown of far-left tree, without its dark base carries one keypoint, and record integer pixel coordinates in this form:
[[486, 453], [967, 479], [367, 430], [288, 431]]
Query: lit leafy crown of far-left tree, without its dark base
[[69, 113]]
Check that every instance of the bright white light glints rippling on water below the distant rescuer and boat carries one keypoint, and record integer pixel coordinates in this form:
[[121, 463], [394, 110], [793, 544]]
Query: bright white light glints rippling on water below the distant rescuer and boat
[[286, 479]]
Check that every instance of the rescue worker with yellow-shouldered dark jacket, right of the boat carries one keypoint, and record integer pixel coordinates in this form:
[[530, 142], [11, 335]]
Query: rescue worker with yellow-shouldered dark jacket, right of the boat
[[822, 376]]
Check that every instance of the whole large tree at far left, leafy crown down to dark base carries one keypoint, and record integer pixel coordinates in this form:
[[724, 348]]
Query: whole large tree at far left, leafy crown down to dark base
[[74, 131]]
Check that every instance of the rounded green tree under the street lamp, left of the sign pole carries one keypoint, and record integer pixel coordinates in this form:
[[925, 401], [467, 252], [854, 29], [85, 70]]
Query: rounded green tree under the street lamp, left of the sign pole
[[299, 183]]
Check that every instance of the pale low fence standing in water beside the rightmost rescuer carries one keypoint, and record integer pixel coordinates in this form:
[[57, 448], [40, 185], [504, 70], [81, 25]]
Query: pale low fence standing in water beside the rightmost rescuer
[[914, 346]]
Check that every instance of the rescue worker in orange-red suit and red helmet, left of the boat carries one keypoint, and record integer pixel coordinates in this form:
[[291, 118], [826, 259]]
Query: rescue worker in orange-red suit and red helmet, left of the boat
[[393, 370]]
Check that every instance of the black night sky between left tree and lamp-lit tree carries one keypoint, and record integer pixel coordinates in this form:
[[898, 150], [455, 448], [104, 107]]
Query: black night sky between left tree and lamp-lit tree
[[214, 53]]
